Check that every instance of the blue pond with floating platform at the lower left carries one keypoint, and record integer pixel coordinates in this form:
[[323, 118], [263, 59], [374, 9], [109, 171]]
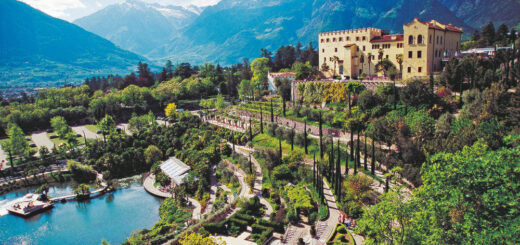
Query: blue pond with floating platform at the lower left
[[113, 216]]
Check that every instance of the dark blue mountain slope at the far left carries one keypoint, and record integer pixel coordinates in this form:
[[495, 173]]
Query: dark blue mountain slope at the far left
[[36, 48]]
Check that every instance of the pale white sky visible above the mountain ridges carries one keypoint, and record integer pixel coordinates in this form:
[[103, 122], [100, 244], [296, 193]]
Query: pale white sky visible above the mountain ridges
[[71, 10]]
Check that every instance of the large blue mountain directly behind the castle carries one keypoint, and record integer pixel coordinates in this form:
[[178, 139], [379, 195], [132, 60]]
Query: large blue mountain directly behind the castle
[[234, 29]]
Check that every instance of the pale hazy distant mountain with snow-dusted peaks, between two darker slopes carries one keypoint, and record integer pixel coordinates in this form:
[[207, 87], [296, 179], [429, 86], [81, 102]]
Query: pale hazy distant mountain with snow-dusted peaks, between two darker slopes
[[139, 26]]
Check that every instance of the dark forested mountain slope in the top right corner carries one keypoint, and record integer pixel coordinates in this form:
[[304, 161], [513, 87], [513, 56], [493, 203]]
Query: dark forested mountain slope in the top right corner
[[478, 13]]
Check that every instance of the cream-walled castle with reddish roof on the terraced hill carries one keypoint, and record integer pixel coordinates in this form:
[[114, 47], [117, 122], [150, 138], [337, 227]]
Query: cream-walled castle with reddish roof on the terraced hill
[[418, 51]]
